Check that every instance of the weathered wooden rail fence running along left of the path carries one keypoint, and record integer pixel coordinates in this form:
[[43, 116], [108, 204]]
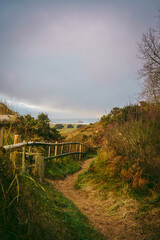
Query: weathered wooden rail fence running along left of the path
[[55, 150]]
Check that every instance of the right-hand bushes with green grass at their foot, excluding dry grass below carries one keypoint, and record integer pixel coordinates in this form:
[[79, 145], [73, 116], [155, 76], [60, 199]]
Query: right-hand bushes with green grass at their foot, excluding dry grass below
[[131, 157]]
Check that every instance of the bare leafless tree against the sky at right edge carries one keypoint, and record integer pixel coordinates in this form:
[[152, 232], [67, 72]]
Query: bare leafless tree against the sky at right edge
[[149, 53]]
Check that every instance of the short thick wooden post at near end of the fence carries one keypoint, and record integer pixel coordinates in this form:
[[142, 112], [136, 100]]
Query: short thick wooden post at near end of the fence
[[39, 166]]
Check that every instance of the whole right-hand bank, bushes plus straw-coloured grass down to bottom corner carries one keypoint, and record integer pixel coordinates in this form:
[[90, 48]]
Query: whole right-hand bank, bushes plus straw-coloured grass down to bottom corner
[[127, 167]]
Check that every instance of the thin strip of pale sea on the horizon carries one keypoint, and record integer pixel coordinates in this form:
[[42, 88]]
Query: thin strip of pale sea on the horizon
[[80, 121]]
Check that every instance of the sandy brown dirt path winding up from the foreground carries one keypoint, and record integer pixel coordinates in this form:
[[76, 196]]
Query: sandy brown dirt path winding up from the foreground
[[113, 217]]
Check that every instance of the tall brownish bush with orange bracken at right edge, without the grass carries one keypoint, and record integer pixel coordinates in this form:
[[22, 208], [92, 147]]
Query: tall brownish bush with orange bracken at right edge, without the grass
[[137, 142]]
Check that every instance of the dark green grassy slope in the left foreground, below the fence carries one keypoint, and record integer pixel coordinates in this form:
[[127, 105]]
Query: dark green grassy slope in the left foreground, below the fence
[[34, 210]]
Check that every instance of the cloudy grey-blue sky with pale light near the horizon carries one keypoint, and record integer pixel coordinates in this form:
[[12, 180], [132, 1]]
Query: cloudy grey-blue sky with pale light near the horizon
[[71, 58]]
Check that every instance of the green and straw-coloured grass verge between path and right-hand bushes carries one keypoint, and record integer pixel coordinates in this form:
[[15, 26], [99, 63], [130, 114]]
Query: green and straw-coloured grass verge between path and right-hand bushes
[[143, 210]]
